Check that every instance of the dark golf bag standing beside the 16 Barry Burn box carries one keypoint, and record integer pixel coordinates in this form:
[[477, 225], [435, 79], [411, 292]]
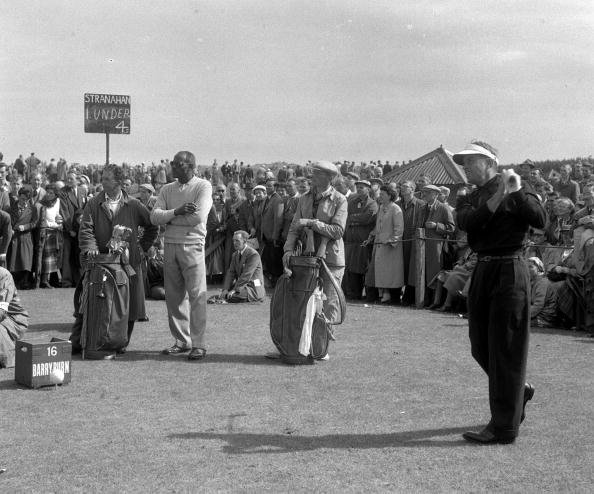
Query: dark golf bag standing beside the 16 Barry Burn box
[[105, 304]]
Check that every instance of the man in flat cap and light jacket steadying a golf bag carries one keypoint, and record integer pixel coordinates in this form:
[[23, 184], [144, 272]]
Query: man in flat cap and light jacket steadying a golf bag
[[324, 210]]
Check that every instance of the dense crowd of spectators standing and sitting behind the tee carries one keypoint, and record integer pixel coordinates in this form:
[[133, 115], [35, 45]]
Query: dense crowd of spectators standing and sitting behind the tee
[[41, 204]]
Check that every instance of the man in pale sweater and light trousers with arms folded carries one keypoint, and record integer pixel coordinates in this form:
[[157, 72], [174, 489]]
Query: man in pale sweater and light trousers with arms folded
[[183, 207]]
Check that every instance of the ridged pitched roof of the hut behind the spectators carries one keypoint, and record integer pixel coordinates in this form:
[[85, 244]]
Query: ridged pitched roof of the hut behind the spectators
[[437, 164]]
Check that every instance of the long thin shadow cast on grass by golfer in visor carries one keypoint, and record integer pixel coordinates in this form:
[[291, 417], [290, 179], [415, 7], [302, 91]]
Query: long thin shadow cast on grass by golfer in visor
[[248, 443]]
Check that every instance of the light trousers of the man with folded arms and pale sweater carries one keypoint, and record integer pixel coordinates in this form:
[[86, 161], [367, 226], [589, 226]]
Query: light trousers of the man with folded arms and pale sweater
[[185, 293]]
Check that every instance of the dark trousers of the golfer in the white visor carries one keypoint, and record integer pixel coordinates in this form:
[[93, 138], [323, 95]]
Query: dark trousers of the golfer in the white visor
[[499, 324]]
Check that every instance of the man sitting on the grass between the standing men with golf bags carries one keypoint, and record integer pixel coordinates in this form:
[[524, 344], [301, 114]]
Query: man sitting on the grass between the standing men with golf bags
[[244, 281]]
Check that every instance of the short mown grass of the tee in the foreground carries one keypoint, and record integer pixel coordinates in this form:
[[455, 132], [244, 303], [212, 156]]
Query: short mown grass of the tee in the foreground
[[385, 414]]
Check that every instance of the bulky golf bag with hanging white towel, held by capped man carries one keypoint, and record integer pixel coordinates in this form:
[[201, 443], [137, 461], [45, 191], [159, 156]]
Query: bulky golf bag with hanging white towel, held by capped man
[[288, 310]]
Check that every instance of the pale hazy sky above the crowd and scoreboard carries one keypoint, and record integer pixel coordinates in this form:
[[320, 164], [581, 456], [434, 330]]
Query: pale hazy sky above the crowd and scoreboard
[[265, 81]]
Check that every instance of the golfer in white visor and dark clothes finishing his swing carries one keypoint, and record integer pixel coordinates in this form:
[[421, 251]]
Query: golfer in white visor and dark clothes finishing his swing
[[497, 217]]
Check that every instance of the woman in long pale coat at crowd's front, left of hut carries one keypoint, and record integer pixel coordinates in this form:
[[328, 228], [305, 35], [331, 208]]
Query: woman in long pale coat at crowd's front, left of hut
[[387, 265]]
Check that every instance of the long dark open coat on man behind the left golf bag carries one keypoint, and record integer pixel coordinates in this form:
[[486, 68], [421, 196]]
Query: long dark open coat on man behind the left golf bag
[[96, 229]]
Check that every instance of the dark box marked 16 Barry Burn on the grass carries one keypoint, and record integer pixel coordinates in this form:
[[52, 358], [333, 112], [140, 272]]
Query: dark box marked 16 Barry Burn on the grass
[[36, 359]]
